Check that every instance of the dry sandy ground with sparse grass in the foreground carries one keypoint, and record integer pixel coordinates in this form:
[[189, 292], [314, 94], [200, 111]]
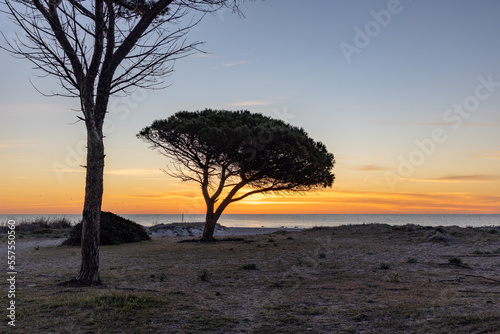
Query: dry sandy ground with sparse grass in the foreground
[[350, 279]]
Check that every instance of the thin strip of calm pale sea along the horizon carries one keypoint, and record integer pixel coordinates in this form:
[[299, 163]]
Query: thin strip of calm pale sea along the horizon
[[300, 221]]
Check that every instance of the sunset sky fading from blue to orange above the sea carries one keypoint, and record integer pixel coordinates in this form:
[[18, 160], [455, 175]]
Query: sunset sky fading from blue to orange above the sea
[[405, 94]]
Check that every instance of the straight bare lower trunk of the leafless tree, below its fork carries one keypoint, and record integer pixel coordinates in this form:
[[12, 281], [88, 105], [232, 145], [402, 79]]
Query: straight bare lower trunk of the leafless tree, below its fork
[[89, 270]]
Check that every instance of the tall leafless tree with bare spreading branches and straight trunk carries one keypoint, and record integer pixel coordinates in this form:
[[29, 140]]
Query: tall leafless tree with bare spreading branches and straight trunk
[[97, 48]]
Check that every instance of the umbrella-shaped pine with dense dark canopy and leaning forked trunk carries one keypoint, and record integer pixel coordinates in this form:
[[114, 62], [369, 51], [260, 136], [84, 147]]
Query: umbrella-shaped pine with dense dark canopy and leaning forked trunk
[[237, 154]]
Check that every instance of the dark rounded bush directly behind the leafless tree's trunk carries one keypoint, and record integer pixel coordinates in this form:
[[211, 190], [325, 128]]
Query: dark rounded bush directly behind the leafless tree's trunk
[[115, 230]]
